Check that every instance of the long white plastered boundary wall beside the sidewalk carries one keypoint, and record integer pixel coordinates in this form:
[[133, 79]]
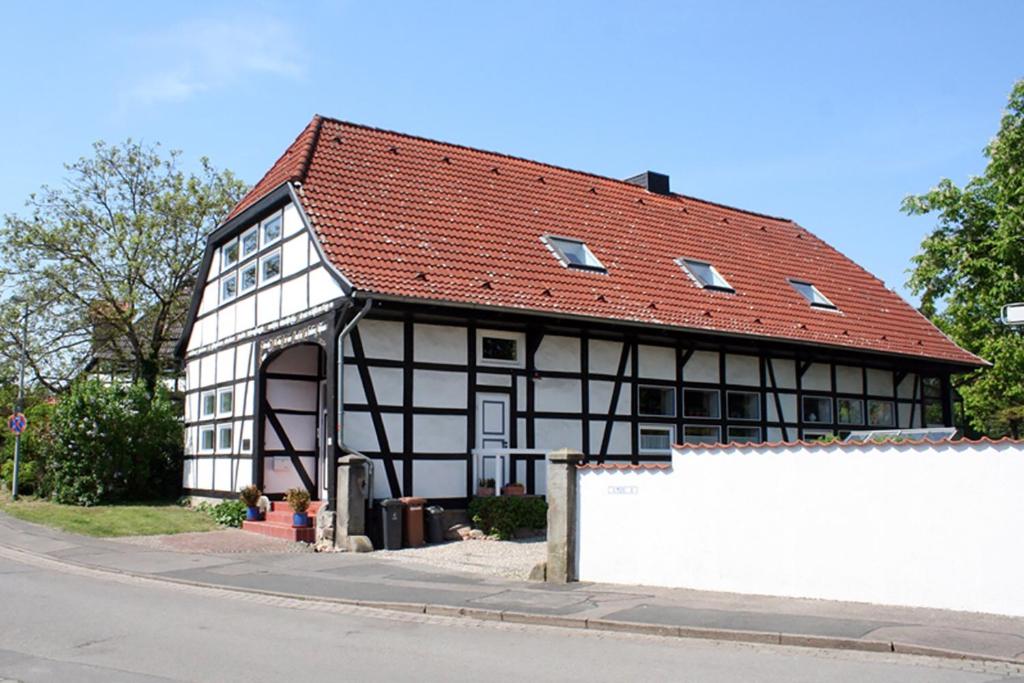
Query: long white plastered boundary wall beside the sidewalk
[[920, 525]]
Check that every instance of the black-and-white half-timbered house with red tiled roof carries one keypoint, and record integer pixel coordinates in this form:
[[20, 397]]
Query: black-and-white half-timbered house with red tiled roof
[[453, 314]]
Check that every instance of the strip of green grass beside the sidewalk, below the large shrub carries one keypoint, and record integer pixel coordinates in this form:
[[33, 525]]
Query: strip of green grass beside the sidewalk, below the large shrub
[[110, 521]]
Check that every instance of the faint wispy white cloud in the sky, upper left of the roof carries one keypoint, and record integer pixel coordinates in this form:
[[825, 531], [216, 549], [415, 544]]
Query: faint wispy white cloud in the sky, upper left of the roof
[[203, 56]]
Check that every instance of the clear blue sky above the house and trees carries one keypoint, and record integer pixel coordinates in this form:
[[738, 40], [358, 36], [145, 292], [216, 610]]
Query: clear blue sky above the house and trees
[[825, 113]]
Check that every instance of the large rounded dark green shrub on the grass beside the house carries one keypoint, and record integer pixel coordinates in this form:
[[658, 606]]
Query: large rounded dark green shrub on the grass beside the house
[[114, 444]]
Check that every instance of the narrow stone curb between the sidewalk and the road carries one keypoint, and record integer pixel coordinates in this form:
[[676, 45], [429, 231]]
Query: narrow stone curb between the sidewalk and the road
[[639, 628]]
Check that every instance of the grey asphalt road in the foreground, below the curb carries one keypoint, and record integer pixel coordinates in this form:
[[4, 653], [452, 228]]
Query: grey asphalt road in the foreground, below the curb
[[75, 625]]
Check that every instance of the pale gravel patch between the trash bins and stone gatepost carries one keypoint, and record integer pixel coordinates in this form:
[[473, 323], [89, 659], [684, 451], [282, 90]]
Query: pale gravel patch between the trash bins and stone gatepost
[[508, 560]]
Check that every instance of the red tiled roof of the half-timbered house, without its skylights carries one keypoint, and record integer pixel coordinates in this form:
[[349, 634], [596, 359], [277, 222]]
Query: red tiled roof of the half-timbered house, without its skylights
[[405, 217]]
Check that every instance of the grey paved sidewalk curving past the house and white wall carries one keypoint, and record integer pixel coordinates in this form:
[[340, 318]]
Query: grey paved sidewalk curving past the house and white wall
[[374, 580]]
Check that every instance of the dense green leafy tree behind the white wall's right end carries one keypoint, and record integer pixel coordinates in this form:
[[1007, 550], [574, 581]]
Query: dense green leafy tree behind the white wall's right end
[[972, 265]]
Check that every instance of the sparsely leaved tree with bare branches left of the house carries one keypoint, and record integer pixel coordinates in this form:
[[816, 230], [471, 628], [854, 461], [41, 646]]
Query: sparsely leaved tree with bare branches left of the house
[[106, 262]]
